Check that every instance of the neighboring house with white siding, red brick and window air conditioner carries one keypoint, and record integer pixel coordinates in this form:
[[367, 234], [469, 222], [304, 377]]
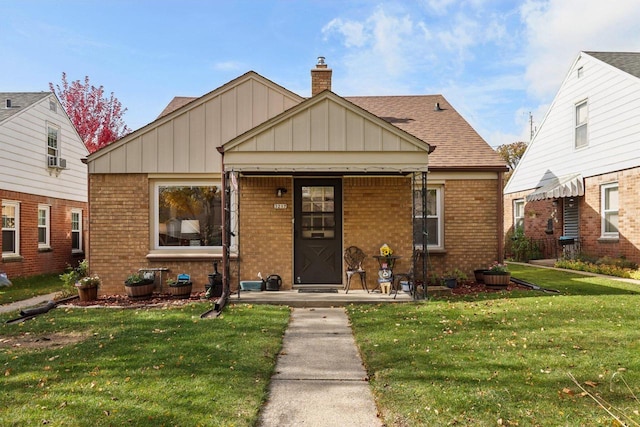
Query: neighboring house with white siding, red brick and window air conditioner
[[43, 185]]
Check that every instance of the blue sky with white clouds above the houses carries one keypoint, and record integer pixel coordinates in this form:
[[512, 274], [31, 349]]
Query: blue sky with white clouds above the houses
[[496, 61]]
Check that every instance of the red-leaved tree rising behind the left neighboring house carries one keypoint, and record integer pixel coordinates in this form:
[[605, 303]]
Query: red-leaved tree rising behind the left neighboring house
[[97, 119]]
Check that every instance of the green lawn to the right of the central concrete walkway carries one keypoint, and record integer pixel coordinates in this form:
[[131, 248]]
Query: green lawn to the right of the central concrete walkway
[[501, 359]]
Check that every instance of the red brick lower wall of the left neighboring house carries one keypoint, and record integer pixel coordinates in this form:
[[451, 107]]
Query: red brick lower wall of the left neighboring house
[[32, 260]]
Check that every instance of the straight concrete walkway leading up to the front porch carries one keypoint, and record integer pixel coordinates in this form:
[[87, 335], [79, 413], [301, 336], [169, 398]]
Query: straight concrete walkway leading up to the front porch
[[319, 379]]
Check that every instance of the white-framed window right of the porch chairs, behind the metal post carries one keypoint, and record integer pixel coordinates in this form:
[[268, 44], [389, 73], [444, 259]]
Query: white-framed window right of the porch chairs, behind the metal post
[[433, 217]]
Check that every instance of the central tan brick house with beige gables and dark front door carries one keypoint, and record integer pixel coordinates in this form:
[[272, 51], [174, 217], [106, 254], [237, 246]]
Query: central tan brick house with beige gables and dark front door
[[304, 179]]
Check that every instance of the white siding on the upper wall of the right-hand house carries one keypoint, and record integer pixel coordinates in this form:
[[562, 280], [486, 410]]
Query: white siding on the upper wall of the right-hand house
[[613, 130]]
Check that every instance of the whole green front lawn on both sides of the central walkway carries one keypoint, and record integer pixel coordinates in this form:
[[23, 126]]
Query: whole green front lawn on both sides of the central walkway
[[487, 359]]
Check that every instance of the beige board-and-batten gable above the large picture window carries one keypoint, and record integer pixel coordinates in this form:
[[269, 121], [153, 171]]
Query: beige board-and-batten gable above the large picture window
[[186, 140]]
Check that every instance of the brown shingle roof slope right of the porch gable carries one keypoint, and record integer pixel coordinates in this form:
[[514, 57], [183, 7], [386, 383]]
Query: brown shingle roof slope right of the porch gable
[[457, 144]]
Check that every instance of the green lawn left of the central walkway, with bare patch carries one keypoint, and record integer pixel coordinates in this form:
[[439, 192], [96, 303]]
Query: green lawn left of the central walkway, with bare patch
[[103, 367]]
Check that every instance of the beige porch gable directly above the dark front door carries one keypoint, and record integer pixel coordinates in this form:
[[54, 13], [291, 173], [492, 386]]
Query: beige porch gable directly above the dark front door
[[328, 133]]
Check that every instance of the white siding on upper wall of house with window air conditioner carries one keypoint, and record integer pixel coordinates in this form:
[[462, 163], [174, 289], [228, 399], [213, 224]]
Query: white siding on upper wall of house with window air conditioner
[[23, 157]]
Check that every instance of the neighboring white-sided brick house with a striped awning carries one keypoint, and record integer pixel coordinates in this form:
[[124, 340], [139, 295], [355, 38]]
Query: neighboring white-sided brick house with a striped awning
[[579, 178]]
